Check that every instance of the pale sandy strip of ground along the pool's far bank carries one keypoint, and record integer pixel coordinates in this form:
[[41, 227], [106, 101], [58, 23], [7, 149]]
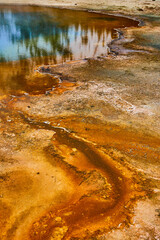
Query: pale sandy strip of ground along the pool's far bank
[[133, 6]]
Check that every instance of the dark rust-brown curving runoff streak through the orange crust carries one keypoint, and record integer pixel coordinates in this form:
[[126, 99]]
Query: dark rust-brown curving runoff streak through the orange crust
[[96, 209]]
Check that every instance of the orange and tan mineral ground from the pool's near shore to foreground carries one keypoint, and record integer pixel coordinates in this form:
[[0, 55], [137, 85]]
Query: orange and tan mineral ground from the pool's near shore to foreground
[[81, 160]]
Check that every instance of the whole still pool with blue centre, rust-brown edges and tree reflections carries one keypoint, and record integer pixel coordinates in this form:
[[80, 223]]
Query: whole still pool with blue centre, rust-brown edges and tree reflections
[[31, 36]]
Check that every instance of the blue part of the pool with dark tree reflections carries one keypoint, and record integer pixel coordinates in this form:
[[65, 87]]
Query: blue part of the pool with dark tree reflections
[[25, 35]]
